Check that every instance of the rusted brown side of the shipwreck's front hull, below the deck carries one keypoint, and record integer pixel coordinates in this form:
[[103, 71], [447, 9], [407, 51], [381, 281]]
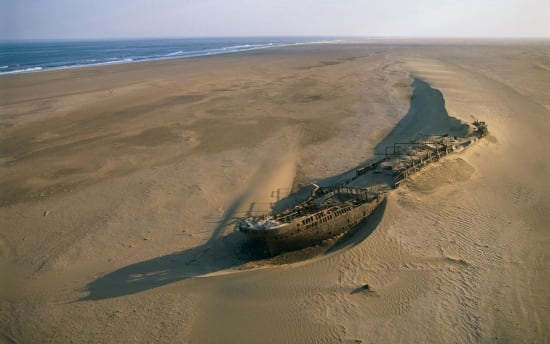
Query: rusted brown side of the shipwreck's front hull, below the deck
[[314, 228]]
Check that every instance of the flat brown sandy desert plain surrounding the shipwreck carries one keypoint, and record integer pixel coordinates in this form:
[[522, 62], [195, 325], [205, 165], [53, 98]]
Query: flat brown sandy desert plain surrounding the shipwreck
[[119, 188]]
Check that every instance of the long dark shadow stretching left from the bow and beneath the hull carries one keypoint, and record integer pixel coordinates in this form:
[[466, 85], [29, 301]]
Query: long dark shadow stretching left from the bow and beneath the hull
[[229, 251]]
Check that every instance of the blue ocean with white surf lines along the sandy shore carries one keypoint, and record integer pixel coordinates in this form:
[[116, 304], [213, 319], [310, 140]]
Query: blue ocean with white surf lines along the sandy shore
[[35, 56]]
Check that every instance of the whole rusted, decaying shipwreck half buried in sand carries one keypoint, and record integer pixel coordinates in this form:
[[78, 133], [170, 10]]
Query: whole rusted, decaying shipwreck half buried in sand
[[330, 211]]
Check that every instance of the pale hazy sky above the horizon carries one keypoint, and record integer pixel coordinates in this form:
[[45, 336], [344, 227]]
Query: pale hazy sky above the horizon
[[27, 19]]
